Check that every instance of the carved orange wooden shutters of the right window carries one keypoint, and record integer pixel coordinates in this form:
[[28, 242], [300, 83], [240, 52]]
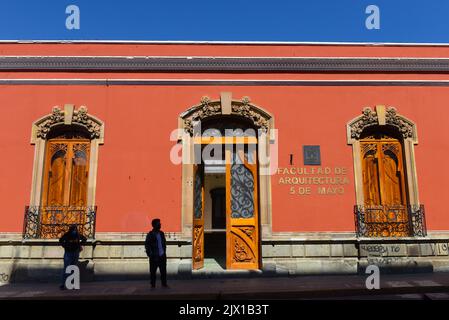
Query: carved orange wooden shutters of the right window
[[384, 187]]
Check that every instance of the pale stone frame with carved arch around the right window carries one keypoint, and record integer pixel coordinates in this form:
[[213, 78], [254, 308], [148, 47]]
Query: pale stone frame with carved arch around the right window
[[384, 116]]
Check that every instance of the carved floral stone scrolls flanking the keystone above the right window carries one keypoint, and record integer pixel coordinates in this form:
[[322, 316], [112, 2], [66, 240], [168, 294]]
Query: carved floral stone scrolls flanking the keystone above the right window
[[392, 118]]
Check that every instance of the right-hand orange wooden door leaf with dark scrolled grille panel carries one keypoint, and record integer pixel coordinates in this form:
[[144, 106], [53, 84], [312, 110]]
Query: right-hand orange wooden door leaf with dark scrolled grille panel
[[242, 229]]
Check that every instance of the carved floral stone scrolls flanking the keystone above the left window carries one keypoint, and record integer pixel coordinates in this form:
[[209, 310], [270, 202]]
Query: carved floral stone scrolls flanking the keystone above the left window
[[79, 117]]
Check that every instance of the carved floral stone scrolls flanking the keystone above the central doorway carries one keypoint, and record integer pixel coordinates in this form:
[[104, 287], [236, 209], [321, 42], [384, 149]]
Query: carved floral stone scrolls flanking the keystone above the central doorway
[[208, 108]]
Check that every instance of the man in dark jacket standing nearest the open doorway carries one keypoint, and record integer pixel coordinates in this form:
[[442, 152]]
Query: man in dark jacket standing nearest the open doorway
[[155, 246]]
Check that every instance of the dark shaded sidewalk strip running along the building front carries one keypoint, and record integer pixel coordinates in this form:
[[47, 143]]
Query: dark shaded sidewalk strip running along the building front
[[304, 287]]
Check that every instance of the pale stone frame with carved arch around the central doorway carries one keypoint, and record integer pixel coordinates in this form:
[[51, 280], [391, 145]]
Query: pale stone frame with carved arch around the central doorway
[[207, 108]]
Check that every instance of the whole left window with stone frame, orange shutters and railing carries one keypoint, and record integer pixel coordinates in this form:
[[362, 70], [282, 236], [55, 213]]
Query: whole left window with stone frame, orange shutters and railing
[[64, 173]]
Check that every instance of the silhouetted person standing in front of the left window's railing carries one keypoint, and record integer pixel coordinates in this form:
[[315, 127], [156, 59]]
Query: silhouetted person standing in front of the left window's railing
[[71, 241]]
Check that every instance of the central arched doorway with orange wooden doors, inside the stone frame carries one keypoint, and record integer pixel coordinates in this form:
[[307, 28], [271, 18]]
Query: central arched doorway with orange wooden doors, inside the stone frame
[[225, 211]]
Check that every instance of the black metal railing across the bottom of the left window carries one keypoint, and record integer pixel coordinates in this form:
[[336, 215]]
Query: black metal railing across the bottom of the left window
[[51, 222]]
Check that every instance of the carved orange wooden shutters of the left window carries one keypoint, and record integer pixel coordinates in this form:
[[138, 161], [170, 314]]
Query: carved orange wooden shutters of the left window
[[65, 183]]
